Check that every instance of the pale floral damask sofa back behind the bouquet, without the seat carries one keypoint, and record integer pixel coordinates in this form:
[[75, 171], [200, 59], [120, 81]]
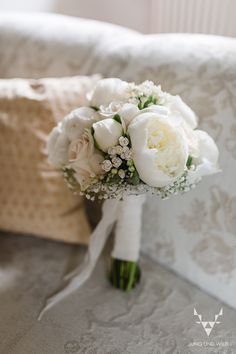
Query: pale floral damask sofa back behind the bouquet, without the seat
[[194, 235]]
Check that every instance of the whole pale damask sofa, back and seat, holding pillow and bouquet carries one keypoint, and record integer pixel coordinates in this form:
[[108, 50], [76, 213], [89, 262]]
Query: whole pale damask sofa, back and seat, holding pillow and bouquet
[[191, 237]]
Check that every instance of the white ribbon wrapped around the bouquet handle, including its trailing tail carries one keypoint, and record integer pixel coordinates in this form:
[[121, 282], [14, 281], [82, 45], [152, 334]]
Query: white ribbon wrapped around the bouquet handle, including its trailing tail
[[128, 214]]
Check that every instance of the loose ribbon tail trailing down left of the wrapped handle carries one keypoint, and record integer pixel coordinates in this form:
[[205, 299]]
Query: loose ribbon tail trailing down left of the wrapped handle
[[98, 239]]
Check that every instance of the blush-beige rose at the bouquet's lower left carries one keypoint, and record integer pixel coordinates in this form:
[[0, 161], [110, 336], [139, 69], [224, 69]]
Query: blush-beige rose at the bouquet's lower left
[[85, 159]]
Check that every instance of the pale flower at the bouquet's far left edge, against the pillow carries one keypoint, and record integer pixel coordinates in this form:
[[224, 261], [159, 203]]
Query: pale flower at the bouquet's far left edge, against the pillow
[[57, 147]]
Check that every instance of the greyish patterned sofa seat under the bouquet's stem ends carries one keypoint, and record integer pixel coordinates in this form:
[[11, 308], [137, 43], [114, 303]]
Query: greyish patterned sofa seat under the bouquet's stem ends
[[156, 318]]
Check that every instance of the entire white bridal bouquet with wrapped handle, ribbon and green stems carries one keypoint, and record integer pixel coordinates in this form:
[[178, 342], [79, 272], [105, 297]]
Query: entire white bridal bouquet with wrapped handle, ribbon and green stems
[[130, 141]]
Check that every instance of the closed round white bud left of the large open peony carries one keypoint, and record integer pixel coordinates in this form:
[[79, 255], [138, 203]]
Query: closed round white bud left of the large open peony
[[107, 133]]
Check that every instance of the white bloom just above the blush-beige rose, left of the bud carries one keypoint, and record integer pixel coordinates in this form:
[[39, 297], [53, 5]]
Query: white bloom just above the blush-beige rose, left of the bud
[[75, 123]]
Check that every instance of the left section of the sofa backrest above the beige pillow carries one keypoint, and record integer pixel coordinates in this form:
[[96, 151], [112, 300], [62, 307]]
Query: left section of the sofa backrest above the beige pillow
[[41, 45]]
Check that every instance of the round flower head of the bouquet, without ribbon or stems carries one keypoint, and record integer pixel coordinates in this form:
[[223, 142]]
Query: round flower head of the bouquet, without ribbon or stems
[[131, 139]]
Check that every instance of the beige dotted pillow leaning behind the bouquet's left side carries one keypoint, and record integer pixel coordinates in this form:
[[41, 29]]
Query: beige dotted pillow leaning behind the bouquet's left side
[[33, 196]]
